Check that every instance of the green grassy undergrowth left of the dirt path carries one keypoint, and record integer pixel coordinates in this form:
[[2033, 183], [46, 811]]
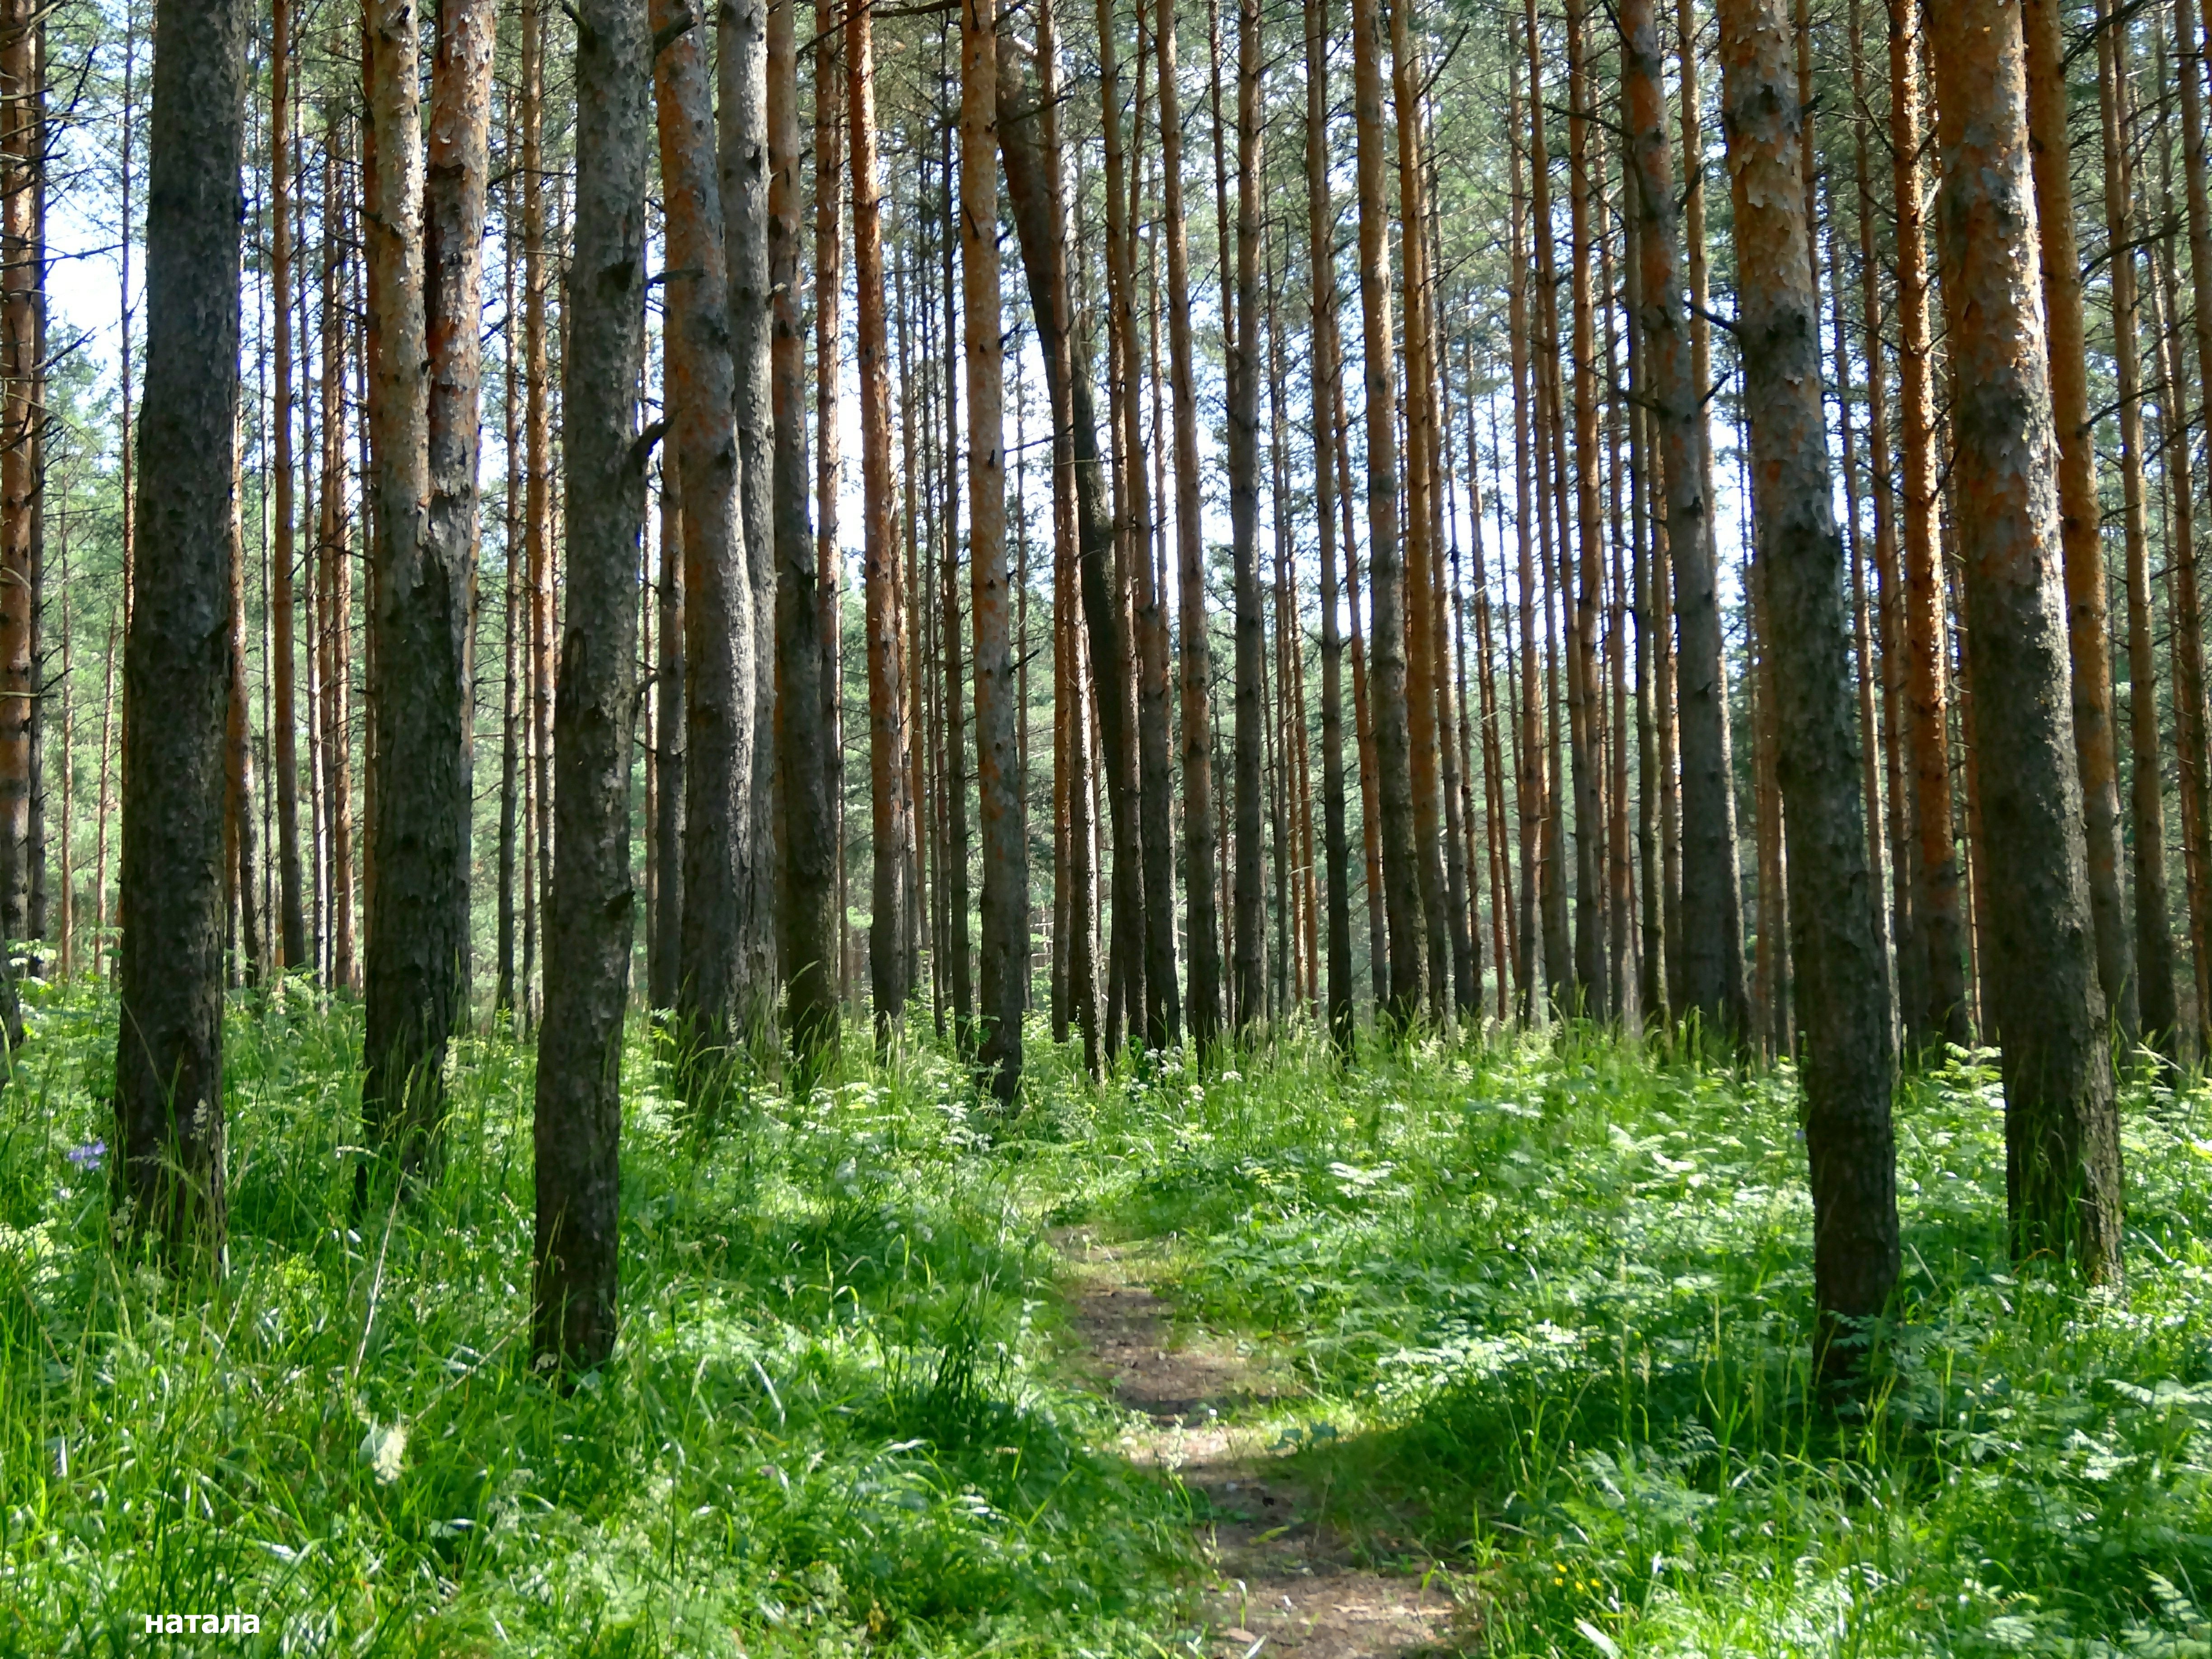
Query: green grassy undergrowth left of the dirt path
[[824, 1430]]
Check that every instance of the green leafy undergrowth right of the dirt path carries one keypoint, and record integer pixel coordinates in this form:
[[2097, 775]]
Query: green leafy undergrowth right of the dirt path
[[1550, 1308]]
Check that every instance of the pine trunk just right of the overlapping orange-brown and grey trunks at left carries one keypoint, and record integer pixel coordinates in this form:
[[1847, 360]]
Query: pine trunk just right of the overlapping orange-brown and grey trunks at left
[[808, 835]]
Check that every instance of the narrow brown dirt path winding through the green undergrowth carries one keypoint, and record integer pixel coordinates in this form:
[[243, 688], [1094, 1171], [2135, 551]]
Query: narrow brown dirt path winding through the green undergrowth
[[1282, 1576]]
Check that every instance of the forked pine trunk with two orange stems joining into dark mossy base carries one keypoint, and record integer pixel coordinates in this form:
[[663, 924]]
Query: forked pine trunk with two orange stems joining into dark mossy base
[[424, 419]]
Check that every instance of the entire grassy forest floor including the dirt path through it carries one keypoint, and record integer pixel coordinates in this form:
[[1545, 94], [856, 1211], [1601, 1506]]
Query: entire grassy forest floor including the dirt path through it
[[1488, 1348]]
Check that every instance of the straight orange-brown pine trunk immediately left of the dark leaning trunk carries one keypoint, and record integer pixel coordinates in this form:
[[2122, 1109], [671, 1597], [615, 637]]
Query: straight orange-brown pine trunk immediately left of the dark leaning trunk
[[1003, 979]]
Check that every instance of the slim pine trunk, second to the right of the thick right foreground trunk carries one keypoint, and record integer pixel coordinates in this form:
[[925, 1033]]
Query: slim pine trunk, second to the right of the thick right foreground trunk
[[2147, 795]]
